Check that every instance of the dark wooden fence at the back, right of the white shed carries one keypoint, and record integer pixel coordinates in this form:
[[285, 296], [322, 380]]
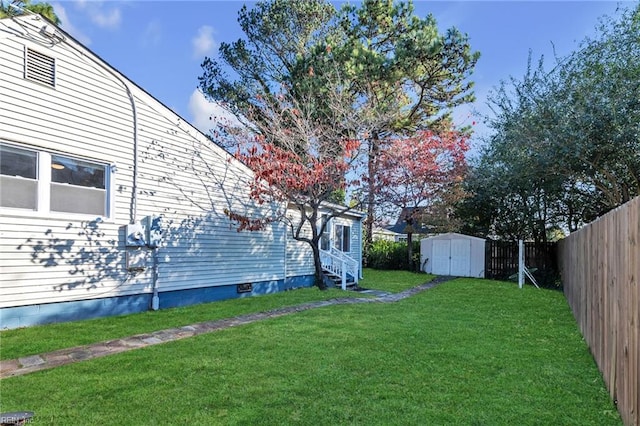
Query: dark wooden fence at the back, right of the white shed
[[501, 261]]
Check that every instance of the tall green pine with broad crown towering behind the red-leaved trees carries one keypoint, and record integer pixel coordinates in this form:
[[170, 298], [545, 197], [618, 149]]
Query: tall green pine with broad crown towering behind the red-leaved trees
[[393, 69]]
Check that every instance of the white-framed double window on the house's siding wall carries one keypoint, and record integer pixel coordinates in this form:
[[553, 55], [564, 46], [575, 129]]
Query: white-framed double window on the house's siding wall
[[43, 182]]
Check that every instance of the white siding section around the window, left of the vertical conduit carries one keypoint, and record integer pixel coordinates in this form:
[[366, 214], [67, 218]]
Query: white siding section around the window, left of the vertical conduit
[[61, 257]]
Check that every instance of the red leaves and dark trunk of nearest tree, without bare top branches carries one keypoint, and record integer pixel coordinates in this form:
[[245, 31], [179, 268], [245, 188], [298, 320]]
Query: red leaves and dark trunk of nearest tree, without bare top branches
[[300, 182]]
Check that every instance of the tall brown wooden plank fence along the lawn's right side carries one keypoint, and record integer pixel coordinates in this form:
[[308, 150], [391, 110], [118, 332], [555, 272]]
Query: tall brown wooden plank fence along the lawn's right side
[[600, 267]]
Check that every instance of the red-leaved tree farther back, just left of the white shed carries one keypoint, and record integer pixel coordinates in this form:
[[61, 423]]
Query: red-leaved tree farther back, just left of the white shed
[[417, 171]]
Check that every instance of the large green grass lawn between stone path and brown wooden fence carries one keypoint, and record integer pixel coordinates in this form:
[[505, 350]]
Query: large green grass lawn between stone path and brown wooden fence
[[470, 352]]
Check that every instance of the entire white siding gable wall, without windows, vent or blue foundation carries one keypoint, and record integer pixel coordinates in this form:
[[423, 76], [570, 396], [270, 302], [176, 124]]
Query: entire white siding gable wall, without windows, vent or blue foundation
[[181, 175]]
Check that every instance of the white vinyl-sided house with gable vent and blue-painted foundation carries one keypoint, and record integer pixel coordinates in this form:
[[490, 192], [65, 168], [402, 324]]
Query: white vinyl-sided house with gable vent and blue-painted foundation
[[110, 159]]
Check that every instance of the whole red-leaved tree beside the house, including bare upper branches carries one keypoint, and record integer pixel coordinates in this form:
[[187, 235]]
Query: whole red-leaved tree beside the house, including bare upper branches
[[301, 149]]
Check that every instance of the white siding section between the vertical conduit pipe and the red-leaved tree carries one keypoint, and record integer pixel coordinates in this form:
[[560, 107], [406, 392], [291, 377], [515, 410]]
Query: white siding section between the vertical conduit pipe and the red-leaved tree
[[191, 181]]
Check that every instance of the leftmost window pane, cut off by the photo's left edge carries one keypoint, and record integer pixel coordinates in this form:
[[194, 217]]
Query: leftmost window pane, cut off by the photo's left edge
[[18, 178]]
